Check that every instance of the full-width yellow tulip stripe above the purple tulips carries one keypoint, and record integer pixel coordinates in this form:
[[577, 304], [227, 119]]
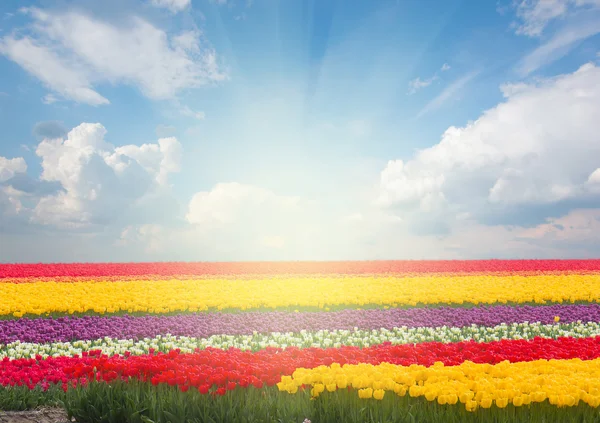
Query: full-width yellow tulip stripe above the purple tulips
[[205, 295]]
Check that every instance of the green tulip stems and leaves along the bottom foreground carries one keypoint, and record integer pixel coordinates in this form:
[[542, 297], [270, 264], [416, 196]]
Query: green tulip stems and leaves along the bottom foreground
[[138, 402]]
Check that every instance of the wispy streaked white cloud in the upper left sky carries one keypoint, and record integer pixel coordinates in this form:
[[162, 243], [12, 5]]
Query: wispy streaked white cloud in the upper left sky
[[71, 53]]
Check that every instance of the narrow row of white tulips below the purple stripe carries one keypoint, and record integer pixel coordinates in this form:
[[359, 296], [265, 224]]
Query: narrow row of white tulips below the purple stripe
[[304, 339]]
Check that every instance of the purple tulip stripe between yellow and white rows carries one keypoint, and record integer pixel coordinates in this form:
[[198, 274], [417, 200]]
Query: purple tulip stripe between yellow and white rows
[[203, 325]]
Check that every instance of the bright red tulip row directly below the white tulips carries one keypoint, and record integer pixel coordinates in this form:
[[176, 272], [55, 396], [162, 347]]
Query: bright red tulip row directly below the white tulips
[[229, 368]]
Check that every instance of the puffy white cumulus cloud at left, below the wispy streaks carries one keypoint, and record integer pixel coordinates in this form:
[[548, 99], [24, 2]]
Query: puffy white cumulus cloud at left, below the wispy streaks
[[99, 181]]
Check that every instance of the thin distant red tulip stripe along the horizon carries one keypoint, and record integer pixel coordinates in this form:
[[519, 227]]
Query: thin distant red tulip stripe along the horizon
[[99, 270]]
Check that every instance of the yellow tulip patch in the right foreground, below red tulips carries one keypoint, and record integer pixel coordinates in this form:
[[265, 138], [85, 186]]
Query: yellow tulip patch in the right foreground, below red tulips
[[561, 382]]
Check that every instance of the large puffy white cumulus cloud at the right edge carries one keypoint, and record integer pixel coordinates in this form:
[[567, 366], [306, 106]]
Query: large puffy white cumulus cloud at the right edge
[[538, 148]]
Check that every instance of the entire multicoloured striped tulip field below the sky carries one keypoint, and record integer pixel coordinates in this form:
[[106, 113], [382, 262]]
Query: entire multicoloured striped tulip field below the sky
[[379, 341]]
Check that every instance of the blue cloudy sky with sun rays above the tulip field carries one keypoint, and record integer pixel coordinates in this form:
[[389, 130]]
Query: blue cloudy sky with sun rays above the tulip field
[[237, 130]]
